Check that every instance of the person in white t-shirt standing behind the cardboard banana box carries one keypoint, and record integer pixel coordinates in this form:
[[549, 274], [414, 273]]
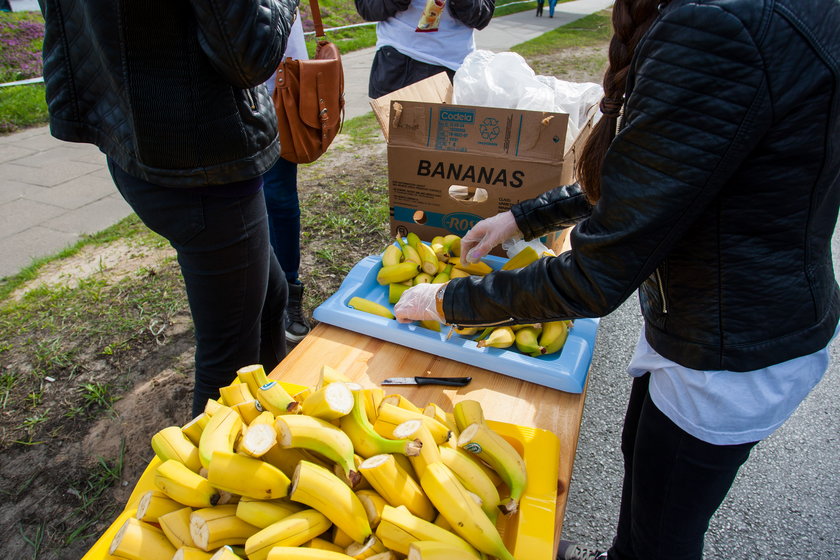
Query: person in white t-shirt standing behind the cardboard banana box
[[404, 55]]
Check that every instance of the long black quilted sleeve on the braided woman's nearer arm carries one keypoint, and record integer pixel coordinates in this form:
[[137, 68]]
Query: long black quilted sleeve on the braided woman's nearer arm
[[685, 135]]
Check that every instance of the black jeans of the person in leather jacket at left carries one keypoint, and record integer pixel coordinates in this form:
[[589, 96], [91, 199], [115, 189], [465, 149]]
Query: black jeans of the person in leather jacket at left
[[235, 287]]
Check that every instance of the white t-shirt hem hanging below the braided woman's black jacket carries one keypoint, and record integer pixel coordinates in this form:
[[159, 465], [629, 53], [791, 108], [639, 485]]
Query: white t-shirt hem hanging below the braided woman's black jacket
[[728, 407]]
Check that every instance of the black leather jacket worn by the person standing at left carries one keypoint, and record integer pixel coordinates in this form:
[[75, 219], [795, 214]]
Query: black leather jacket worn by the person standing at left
[[170, 90]]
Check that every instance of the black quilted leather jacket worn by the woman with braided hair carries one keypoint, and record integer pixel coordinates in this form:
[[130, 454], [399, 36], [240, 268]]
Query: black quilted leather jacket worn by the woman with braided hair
[[719, 198]]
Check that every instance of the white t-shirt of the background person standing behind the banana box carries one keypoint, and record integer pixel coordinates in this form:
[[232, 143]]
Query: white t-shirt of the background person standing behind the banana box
[[448, 46]]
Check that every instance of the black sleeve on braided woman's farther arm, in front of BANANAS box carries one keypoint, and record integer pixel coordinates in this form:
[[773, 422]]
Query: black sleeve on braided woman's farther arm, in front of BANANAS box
[[558, 208]]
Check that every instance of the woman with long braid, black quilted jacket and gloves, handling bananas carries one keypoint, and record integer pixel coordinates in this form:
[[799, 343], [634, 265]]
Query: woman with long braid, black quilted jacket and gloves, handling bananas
[[711, 185]]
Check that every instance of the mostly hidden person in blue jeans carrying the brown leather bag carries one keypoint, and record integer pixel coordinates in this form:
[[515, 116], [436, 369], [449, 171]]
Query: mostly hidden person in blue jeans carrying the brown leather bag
[[283, 206]]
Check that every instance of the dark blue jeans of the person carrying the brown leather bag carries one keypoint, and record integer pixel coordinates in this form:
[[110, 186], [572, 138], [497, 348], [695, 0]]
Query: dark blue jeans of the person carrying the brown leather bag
[[281, 201]]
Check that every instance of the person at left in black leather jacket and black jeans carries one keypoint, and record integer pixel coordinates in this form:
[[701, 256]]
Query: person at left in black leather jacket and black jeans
[[173, 95]]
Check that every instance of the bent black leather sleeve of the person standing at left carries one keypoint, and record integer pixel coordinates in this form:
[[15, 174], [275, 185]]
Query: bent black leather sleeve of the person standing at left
[[244, 40]]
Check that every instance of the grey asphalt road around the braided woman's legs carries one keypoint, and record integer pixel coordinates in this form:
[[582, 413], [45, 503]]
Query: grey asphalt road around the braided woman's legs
[[785, 502]]
